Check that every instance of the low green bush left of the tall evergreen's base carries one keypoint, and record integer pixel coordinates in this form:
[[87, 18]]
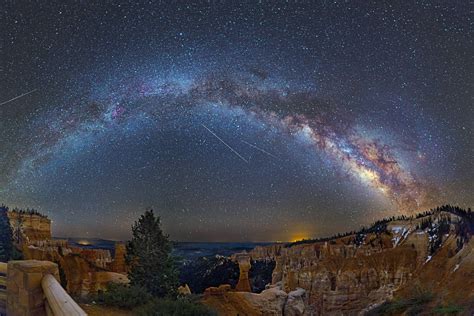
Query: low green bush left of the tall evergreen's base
[[124, 296]]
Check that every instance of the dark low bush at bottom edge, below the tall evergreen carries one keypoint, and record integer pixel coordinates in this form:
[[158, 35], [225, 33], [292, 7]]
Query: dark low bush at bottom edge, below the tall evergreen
[[179, 307]]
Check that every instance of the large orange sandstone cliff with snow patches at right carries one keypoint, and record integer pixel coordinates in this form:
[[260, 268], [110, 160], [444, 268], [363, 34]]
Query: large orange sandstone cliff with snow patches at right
[[354, 274]]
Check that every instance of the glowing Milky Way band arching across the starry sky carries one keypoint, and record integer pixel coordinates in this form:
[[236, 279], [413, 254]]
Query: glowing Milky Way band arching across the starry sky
[[291, 109]]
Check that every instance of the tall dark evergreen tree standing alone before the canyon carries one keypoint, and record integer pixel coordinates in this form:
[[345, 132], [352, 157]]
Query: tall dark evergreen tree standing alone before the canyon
[[149, 257]]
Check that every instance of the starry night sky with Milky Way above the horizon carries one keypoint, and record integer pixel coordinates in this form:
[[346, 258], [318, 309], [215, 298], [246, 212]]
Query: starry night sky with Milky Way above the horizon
[[235, 121]]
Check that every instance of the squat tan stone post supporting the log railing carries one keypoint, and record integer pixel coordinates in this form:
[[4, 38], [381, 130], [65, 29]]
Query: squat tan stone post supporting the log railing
[[25, 295]]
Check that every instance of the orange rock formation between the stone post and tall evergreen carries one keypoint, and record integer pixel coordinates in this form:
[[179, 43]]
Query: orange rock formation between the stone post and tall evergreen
[[85, 271]]
